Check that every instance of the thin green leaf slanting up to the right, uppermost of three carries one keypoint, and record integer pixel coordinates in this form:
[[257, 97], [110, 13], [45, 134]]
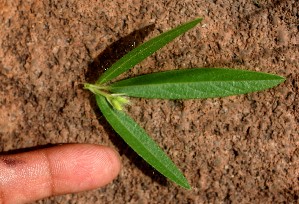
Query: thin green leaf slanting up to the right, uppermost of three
[[143, 51]]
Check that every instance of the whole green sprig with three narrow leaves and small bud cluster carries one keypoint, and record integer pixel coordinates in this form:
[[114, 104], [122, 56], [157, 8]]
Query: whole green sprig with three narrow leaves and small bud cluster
[[176, 84]]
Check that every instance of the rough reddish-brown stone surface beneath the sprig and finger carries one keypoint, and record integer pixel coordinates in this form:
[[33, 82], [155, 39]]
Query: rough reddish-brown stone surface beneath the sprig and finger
[[242, 149]]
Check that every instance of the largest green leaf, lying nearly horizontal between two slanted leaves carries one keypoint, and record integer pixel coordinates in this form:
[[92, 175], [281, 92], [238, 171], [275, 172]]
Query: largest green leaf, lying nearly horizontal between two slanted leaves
[[195, 83]]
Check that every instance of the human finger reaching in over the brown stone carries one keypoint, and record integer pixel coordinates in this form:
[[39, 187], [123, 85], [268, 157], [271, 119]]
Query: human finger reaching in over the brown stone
[[70, 168]]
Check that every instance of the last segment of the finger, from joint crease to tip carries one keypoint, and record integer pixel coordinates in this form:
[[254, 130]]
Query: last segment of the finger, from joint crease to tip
[[83, 167]]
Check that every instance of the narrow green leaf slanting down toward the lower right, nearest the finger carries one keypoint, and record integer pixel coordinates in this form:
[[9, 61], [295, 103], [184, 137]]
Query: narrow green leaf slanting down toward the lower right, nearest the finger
[[140, 142]]
